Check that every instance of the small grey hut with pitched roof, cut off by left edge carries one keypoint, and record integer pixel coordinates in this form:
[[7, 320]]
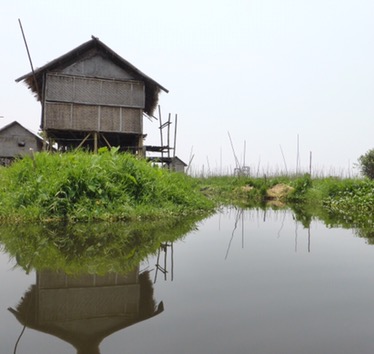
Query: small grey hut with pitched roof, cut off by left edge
[[15, 141]]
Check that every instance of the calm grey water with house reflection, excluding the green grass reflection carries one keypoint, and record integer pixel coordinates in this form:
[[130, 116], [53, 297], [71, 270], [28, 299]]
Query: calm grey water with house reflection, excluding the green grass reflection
[[245, 282]]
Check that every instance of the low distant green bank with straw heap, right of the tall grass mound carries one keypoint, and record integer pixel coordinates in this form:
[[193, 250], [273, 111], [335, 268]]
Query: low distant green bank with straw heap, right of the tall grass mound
[[331, 198]]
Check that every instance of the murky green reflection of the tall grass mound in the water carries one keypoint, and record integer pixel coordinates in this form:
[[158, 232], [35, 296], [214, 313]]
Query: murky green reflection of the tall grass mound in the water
[[92, 248]]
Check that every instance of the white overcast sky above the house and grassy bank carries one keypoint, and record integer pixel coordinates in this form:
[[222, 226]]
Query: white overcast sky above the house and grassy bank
[[285, 78]]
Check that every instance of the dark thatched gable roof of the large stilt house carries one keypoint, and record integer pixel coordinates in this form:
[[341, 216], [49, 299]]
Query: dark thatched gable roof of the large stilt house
[[87, 50]]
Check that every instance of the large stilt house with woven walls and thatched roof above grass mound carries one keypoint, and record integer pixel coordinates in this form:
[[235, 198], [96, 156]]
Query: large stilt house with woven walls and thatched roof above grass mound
[[91, 97]]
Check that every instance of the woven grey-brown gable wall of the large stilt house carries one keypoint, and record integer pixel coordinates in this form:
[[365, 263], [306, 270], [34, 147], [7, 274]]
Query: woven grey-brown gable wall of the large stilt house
[[93, 95]]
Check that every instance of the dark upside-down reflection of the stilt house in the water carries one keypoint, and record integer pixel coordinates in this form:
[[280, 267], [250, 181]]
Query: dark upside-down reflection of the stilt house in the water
[[84, 310]]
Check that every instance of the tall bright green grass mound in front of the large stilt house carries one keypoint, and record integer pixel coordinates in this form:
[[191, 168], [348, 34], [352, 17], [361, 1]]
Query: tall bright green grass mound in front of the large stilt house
[[106, 186]]
